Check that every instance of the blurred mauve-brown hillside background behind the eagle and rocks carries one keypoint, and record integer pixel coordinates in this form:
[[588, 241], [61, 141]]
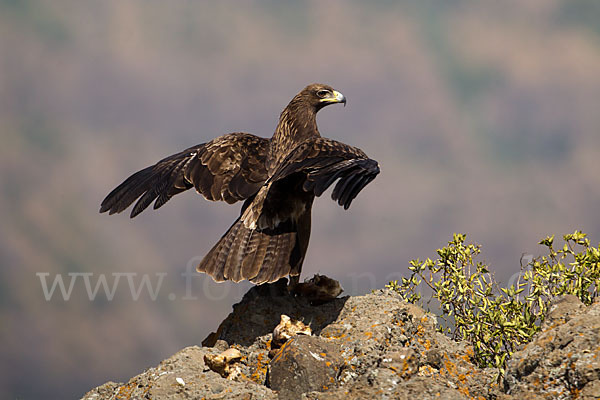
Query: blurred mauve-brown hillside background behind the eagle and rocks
[[484, 116]]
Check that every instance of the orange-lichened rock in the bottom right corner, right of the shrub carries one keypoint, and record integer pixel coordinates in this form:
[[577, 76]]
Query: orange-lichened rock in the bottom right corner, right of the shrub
[[563, 361]]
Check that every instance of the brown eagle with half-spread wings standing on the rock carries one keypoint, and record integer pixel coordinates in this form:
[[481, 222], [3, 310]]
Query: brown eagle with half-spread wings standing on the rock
[[277, 179]]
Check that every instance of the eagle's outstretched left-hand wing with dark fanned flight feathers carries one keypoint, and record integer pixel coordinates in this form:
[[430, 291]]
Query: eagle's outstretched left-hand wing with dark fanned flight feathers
[[229, 168]]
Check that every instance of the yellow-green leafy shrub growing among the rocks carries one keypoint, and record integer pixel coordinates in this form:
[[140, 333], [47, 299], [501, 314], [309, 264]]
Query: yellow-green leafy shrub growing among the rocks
[[498, 321]]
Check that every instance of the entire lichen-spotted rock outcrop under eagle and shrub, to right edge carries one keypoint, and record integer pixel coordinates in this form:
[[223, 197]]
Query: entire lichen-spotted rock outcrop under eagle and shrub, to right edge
[[373, 346]]
